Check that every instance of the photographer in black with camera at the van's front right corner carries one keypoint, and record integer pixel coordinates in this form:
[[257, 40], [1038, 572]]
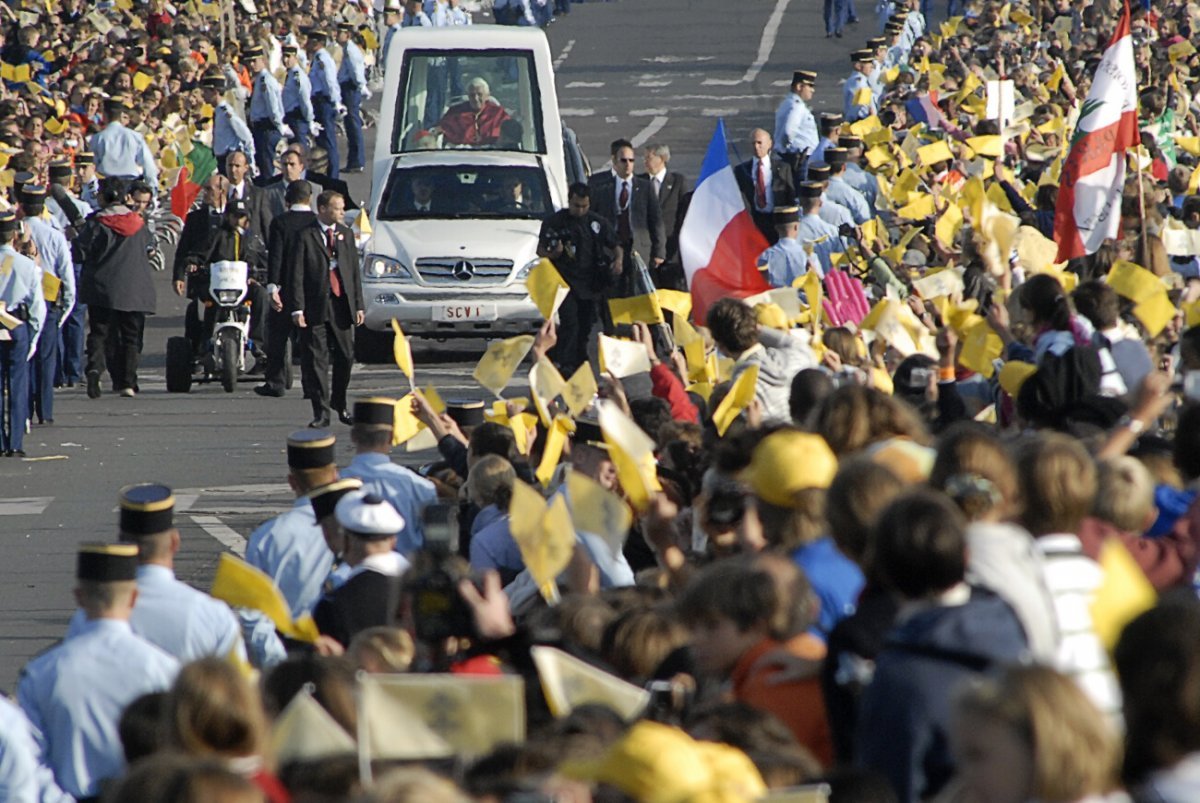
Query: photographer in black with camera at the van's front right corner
[[585, 251]]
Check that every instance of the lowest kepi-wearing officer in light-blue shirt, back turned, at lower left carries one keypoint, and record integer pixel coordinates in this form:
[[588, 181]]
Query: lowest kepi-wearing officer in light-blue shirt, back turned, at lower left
[[75, 694]]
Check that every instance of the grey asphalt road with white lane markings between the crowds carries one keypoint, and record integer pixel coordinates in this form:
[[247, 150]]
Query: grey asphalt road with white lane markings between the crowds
[[662, 70]]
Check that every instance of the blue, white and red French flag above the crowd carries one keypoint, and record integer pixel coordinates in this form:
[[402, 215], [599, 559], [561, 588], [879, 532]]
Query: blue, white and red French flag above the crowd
[[719, 243]]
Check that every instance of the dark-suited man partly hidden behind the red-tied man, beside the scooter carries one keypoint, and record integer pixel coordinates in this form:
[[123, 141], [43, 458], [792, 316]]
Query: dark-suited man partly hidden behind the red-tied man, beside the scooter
[[281, 263]]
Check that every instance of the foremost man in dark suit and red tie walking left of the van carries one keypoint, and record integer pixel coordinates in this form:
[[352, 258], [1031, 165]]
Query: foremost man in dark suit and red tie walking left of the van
[[325, 299]]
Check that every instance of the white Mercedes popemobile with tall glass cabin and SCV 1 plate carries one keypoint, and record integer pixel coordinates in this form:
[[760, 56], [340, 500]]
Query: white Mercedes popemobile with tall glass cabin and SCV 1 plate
[[471, 157]]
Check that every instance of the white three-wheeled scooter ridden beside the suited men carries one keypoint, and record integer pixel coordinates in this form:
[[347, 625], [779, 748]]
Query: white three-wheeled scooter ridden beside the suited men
[[230, 345]]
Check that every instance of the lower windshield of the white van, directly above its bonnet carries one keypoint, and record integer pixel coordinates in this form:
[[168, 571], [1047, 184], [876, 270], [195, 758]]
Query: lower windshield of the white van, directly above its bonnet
[[466, 191]]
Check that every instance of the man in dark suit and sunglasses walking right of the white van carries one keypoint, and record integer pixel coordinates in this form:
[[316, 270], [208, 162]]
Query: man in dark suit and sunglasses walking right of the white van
[[632, 207]]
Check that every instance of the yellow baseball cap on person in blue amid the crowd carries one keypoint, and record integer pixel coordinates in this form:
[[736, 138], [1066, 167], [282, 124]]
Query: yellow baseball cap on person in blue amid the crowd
[[788, 463]]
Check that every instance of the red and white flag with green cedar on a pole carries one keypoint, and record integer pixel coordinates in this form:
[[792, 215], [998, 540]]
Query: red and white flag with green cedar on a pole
[[1089, 209]]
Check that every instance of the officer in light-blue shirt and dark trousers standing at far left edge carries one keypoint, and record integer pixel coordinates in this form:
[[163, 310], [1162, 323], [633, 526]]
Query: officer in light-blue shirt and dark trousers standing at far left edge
[[25, 307]]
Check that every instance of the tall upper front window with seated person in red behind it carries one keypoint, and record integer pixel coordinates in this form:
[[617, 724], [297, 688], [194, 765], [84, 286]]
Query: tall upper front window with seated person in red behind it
[[482, 100]]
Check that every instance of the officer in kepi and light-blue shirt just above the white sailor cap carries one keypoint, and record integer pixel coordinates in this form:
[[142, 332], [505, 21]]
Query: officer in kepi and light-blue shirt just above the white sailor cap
[[406, 490]]
